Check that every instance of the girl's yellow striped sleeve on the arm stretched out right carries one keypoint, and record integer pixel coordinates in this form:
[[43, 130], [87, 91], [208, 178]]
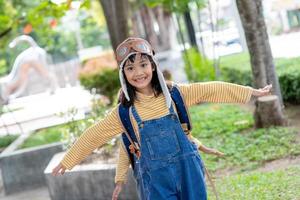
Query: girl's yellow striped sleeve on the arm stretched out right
[[215, 92]]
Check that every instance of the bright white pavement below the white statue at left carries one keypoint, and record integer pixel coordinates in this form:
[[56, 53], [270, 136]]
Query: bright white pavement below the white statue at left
[[42, 110]]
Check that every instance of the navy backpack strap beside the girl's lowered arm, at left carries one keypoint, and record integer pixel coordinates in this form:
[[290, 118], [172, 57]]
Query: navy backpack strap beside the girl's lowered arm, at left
[[129, 138]]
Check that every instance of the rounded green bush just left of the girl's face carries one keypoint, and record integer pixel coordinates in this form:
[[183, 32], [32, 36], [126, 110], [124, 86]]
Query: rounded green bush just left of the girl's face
[[106, 82]]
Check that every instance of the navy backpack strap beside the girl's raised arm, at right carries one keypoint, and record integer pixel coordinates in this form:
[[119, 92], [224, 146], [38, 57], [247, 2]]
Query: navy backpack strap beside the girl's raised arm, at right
[[181, 108]]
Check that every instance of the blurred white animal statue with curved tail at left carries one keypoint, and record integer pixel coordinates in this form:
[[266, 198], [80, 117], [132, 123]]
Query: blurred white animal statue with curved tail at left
[[34, 57]]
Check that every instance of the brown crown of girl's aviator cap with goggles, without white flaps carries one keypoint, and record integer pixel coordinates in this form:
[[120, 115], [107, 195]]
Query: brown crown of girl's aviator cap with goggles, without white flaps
[[130, 45]]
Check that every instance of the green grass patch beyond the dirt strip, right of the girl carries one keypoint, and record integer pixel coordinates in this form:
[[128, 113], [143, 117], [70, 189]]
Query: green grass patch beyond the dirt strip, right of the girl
[[227, 128]]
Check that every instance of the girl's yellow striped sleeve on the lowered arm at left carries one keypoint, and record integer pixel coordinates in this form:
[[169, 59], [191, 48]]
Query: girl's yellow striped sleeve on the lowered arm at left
[[92, 138]]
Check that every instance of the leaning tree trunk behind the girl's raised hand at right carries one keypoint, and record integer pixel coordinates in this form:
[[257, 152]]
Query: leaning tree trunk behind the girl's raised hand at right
[[251, 13]]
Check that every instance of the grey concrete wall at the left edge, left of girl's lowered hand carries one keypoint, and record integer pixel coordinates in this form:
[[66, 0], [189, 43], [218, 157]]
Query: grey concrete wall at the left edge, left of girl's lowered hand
[[24, 169]]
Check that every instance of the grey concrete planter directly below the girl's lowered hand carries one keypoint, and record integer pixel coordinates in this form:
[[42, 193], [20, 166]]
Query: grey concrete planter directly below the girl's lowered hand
[[87, 182]]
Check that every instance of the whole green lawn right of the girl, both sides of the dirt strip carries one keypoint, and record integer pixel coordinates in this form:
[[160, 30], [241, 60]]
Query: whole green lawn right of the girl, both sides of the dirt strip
[[229, 129]]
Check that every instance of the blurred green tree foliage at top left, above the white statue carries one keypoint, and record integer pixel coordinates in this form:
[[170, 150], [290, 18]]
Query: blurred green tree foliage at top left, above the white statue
[[58, 41]]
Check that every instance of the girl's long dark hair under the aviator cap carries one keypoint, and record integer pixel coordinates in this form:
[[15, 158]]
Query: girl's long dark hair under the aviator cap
[[132, 91]]
